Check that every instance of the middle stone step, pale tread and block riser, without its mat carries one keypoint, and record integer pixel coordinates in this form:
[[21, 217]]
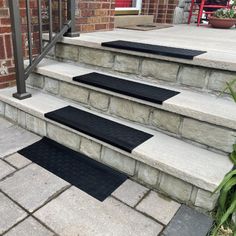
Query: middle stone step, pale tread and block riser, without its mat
[[198, 118]]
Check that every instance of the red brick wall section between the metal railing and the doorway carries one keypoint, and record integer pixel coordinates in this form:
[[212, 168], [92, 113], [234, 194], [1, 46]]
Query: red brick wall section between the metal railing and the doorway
[[95, 15]]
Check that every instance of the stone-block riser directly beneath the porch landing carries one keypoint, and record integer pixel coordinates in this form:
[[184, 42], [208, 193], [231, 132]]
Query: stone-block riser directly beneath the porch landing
[[207, 78]]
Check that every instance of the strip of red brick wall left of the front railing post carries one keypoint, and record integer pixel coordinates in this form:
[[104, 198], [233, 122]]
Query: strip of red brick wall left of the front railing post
[[7, 77]]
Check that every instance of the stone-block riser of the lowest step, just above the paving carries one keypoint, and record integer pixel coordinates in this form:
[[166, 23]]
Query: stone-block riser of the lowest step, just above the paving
[[152, 177]]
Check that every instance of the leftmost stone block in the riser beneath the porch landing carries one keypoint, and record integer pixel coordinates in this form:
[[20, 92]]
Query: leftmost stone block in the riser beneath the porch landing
[[68, 52]]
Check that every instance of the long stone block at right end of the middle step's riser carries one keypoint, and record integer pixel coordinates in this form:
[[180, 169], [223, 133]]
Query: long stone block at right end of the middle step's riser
[[208, 134]]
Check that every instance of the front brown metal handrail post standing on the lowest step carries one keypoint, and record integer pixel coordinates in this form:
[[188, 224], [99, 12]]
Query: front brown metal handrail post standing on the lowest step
[[18, 50]]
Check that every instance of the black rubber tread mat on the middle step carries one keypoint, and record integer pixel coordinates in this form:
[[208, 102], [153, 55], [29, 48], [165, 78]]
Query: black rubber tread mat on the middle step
[[125, 87]]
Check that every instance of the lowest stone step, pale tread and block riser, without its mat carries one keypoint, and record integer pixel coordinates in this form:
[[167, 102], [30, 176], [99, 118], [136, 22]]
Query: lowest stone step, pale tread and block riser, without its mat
[[178, 169]]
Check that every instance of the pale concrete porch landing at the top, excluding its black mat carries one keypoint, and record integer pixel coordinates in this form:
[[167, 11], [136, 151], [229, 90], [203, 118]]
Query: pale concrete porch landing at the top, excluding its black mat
[[219, 43]]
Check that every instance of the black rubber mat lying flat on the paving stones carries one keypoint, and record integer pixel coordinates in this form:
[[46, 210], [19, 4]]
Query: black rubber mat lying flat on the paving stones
[[88, 175]]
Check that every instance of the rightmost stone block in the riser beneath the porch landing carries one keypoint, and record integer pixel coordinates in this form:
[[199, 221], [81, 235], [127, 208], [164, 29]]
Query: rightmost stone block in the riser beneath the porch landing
[[218, 79]]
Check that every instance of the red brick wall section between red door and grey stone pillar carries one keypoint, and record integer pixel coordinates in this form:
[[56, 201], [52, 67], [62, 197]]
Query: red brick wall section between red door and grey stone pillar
[[163, 10]]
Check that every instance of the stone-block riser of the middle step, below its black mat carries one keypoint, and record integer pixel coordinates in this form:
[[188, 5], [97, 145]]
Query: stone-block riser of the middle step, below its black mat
[[208, 135]]
